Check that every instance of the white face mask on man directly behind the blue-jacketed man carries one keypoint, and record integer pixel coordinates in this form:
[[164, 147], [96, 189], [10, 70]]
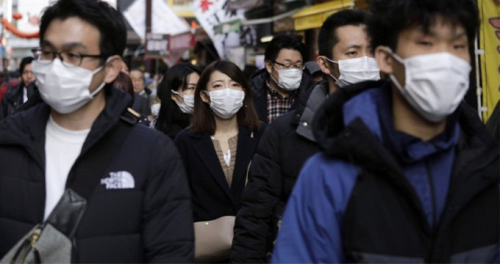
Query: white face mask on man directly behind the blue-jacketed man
[[356, 70]]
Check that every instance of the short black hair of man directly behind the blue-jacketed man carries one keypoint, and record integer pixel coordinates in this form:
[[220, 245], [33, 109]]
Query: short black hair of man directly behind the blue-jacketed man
[[328, 38]]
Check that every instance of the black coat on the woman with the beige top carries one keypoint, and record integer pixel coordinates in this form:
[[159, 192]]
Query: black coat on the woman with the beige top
[[210, 193]]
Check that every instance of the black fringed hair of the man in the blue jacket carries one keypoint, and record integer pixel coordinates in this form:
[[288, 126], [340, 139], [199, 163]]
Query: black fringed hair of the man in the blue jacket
[[391, 17]]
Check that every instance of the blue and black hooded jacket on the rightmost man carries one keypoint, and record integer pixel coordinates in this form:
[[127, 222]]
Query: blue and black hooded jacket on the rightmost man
[[379, 195]]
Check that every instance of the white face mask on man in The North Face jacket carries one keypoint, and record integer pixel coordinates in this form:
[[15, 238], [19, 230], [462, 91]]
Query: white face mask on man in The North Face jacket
[[64, 88]]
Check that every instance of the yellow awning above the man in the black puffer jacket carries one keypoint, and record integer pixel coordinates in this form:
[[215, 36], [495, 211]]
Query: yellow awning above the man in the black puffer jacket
[[314, 16]]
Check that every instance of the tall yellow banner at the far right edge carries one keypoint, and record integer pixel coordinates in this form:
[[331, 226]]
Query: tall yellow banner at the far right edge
[[489, 40]]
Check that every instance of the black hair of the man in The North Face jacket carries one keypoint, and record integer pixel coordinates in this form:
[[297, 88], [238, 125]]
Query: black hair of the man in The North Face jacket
[[100, 14]]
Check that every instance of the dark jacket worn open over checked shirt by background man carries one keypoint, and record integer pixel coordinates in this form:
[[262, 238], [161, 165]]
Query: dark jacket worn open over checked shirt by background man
[[260, 90]]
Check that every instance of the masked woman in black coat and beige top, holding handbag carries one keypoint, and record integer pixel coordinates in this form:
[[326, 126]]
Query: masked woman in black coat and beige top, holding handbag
[[217, 149]]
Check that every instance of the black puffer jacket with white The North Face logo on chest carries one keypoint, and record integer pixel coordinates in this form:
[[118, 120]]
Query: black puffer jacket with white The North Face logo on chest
[[150, 221]]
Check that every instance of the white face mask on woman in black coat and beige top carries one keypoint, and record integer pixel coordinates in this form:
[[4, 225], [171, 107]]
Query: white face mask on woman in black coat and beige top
[[226, 102]]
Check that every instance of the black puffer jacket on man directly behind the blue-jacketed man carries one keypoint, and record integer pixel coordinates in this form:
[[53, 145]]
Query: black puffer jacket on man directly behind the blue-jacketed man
[[285, 146]]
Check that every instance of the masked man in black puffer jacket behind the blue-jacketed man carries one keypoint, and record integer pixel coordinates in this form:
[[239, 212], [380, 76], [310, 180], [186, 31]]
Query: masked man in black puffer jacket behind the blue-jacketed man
[[288, 142]]
